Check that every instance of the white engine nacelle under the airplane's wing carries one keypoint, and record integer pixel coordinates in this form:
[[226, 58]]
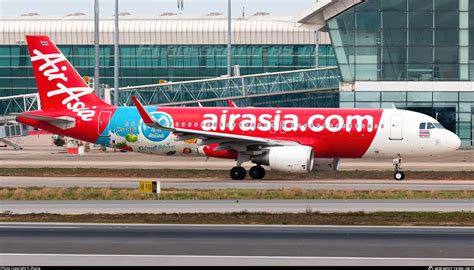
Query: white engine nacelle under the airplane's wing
[[295, 159]]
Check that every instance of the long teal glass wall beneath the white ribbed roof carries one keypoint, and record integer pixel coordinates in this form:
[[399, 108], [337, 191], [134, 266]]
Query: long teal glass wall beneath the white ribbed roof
[[148, 64]]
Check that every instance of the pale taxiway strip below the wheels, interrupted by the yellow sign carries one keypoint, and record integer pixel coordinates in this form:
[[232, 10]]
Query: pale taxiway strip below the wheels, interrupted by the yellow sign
[[180, 183]]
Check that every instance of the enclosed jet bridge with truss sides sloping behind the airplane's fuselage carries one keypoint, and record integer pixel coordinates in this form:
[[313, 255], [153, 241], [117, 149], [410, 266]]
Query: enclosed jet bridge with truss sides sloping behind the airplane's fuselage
[[292, 87]]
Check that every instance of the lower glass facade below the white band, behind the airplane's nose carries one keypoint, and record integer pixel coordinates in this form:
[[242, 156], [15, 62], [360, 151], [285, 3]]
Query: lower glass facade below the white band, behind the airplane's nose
[[452, 109]]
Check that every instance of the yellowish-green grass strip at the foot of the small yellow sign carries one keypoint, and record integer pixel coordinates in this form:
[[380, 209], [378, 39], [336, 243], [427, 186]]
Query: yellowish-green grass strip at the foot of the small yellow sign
[[78, 193]]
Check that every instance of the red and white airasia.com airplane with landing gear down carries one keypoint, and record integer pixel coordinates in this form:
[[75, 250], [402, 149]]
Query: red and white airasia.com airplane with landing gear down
[[296, 140]]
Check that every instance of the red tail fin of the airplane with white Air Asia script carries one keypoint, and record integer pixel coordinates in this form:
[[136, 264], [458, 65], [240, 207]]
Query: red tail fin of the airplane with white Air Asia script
[[59, 84]]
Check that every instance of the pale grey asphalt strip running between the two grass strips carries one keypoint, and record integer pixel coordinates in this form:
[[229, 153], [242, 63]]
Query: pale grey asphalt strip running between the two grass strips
[[225, 206]]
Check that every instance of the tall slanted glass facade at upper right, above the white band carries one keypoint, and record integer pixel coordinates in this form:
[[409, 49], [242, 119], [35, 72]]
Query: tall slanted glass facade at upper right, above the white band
[[405, 40]]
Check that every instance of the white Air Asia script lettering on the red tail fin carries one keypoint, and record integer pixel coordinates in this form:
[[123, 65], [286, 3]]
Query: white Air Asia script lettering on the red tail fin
[[72, 101]]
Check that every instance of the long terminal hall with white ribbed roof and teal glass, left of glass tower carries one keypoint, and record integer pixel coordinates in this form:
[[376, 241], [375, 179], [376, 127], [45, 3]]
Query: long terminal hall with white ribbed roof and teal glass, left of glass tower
[[170, 49]]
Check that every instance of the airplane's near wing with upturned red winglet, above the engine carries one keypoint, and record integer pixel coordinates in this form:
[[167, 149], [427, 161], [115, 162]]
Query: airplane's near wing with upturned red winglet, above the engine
[[215, 137]]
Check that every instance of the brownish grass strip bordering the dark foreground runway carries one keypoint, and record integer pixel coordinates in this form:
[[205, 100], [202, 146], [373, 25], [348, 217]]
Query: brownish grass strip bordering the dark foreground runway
[[314, 218]]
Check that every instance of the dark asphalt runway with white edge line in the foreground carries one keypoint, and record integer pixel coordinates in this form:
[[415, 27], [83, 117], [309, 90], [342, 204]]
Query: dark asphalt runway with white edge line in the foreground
[[107, 244]]
